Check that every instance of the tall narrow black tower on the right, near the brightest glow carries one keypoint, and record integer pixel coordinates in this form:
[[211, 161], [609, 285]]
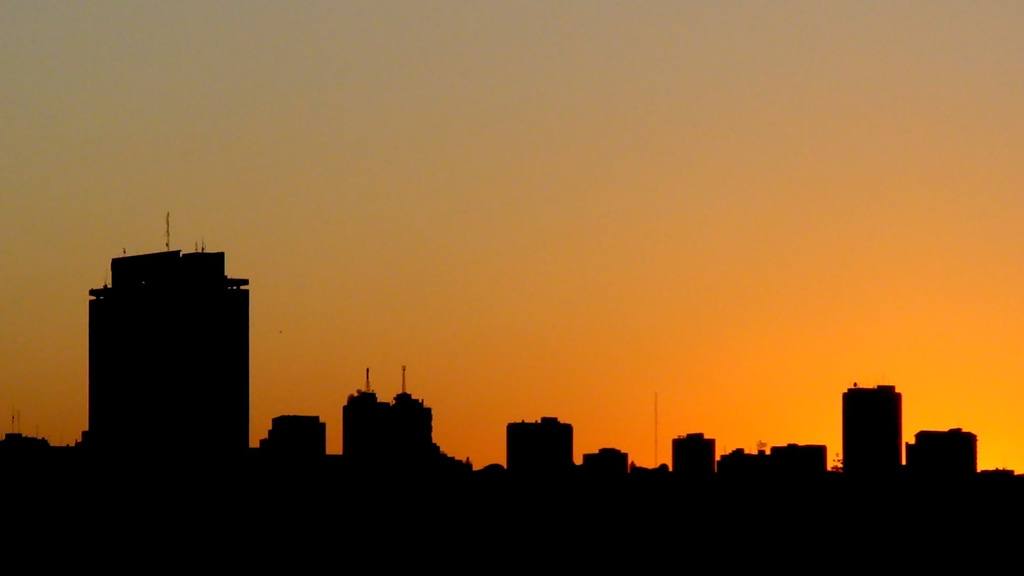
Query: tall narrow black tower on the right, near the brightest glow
[[873, 432]]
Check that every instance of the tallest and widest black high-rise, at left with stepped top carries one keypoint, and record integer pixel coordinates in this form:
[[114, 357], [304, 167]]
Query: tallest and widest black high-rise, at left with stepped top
[[169, 357]]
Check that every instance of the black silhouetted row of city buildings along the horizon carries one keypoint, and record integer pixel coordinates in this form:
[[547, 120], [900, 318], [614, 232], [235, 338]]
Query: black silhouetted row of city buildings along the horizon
[[169, 379]]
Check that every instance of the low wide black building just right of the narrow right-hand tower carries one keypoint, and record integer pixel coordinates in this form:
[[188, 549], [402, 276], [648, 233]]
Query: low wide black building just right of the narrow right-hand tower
[[944, 456]]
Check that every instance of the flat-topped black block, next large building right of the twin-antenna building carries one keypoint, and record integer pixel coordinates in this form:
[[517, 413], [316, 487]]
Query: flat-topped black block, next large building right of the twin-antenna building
[[539, 448]]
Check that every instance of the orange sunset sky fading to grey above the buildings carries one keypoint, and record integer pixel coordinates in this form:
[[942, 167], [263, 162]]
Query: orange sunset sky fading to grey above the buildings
[[542, 209]]
